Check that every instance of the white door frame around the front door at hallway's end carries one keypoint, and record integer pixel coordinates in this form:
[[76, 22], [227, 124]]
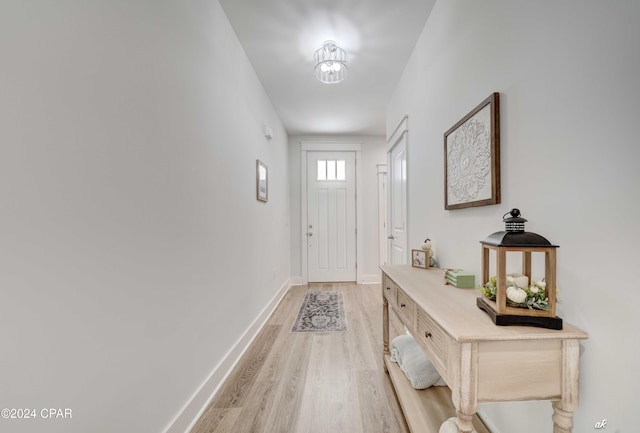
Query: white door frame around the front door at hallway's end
[[324, 146]]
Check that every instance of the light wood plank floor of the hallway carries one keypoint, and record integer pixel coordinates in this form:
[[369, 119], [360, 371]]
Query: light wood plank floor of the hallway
[[309, 382]]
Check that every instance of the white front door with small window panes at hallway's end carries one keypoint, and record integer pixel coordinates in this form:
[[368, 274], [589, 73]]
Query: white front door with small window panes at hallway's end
[[331, 216]]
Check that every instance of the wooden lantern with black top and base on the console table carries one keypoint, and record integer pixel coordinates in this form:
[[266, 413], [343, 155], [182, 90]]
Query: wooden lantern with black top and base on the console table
[[518, 299]]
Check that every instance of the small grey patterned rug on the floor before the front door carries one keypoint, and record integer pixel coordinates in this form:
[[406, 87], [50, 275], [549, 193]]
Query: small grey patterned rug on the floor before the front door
[[321, 311]]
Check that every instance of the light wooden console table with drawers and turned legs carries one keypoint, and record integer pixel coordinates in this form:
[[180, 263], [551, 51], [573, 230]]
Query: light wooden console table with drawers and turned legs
[[480, 362]]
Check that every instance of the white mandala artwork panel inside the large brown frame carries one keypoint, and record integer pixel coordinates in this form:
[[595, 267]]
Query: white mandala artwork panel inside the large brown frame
[[469, 161]]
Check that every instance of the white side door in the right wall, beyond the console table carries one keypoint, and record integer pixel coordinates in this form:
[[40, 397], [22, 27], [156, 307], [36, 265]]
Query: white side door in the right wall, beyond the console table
[[397, 156]]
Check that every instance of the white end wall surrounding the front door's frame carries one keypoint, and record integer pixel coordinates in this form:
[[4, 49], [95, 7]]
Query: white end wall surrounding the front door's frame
[[373, 153]]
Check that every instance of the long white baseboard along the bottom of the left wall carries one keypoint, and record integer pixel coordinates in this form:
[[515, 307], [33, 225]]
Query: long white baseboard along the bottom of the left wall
[[191, 412]]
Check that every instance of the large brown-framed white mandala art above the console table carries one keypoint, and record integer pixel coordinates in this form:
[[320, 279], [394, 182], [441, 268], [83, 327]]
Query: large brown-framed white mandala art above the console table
[[472, 157]]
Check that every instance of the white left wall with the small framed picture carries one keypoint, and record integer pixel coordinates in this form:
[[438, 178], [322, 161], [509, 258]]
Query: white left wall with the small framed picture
[[133, 252]]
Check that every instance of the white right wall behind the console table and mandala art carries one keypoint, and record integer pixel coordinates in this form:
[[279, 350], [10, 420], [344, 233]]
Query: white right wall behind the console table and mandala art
[[567, 73]]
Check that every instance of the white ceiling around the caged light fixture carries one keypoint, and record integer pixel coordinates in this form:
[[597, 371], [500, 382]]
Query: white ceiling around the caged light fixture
[[280, 37]]
